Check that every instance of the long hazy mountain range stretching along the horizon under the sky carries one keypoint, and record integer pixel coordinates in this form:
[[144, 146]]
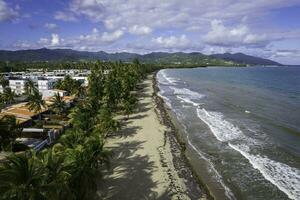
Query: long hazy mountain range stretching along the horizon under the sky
[[158, 58]]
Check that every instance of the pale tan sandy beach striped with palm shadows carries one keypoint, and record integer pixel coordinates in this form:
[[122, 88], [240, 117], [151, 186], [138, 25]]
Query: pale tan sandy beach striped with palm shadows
[[147, 161]]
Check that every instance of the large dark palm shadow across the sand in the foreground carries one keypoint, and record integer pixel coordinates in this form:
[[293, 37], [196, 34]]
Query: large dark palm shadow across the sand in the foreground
[[132, 175]]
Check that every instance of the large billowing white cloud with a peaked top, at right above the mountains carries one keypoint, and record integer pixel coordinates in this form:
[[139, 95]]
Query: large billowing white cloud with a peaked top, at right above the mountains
[[236, 36]]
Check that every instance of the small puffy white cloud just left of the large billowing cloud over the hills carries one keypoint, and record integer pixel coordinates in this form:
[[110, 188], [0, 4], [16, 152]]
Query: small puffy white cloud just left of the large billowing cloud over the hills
[[172, 42]]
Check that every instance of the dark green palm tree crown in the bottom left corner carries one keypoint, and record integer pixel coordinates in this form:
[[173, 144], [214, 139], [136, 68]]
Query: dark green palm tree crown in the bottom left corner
[[21, 177]]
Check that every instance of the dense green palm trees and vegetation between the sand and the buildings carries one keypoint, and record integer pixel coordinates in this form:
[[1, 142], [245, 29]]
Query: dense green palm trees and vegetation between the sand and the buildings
[[71, 168]]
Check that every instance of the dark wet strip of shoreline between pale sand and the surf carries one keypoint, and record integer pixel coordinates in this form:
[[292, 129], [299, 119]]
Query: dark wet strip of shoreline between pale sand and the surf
[[196, 165]]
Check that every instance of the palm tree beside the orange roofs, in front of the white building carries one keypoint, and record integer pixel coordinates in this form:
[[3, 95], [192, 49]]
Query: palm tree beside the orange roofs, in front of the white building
[[36, 103]]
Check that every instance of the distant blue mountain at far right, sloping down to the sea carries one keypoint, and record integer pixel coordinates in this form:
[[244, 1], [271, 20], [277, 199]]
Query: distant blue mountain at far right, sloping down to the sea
[[244, 59]]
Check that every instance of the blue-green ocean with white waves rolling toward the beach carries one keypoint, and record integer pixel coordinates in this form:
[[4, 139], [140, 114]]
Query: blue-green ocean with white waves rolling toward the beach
[[243, 126]]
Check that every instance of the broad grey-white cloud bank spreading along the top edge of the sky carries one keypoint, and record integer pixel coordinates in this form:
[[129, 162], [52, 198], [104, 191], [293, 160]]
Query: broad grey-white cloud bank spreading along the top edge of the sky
[[173, 13]]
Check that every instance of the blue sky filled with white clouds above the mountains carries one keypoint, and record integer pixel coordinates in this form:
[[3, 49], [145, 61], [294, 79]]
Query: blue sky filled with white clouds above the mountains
[[264, 28]]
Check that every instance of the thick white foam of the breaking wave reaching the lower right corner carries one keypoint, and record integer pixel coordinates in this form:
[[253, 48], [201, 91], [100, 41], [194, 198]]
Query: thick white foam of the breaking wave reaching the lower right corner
[[284, 177]]
